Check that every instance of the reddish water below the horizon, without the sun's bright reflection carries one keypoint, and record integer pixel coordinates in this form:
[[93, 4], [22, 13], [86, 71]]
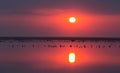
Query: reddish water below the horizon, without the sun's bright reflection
[[50, 55]]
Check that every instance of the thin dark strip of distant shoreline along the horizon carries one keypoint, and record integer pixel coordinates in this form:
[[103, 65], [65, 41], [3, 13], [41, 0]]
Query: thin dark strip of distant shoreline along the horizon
[[59, 38]]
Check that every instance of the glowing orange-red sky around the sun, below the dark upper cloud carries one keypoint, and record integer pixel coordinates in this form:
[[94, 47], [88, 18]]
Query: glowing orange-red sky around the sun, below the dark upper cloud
[[57, 21]]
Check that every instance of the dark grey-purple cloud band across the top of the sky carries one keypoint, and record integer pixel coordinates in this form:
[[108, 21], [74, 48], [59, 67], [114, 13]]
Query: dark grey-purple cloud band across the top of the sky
[[95, 6]]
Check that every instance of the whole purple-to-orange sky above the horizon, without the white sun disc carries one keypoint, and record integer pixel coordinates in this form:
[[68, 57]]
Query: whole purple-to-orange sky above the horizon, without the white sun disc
[[95, 18]]
